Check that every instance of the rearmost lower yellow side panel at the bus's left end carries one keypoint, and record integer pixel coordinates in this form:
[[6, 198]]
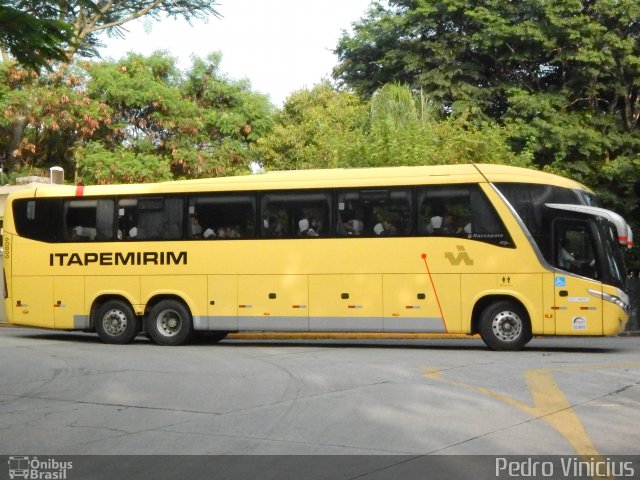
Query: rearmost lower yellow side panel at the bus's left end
[[33, 301]]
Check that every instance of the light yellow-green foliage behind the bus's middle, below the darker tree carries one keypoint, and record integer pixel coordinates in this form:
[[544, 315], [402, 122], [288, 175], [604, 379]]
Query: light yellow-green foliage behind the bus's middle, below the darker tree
[[327, 128]]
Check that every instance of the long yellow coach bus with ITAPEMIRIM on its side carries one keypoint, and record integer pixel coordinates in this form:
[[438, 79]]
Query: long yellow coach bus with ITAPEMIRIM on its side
[[504, 252]]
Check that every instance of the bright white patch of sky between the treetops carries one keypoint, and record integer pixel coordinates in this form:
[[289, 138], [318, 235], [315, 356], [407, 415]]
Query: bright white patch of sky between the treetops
[[280, 46]]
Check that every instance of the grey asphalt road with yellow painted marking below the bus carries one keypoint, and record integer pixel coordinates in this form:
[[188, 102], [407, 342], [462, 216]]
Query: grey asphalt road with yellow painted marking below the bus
[[68, 394]]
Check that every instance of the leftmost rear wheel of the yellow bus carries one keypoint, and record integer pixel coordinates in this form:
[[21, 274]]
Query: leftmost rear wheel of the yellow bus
[[115, 322]]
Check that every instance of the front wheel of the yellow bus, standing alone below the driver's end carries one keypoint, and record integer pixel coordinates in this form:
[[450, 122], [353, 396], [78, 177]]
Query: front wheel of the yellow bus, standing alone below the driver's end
[[504, 325]]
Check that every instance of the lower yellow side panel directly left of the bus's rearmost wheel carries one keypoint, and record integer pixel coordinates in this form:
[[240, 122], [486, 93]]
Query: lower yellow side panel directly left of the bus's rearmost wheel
[[68, 303]]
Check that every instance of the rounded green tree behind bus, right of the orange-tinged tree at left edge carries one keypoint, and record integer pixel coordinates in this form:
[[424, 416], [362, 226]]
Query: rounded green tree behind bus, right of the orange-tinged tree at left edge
[[193, 124]]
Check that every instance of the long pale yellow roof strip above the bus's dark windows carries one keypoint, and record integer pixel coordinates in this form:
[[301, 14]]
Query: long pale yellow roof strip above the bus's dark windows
[[324, 178]]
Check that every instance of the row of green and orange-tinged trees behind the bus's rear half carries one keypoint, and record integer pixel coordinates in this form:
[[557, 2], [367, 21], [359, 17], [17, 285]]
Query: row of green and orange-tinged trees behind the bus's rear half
[[195, 123]]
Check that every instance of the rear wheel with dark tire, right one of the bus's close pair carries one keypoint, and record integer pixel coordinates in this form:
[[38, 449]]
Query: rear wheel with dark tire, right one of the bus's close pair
[[169, 323]]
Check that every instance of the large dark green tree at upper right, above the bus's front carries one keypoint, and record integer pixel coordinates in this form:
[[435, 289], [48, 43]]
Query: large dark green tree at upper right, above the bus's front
[[562, 77]]
